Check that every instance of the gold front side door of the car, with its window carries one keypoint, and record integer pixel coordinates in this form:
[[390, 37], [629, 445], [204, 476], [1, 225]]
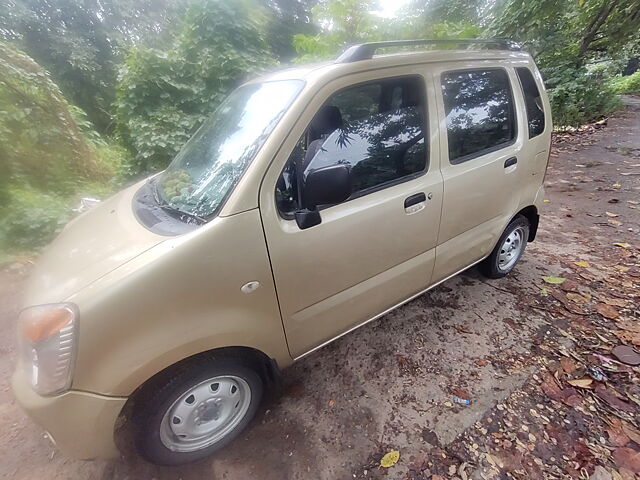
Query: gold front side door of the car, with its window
[[377, 248]]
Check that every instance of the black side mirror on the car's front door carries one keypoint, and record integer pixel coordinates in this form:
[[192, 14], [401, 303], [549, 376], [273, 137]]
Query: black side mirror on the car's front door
[[323, 186]]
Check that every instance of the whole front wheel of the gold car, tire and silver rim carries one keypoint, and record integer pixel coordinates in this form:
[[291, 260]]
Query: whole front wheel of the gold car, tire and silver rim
[[196, 411]]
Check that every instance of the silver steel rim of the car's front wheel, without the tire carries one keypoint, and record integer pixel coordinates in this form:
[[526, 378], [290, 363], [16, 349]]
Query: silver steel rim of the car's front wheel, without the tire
[[205, 413]]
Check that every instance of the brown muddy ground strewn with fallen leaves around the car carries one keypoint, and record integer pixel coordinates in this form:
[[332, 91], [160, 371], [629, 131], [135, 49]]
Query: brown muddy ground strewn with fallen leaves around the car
[[509, 346]]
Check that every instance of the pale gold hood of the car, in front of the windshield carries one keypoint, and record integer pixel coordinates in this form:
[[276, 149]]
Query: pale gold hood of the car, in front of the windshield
[[89, 247]]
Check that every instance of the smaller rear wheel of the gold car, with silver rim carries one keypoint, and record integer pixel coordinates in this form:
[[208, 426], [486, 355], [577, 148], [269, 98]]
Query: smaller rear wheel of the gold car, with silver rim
[[508, 250]]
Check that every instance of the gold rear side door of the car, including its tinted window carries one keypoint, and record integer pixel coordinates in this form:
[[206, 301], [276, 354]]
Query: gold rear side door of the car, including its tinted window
[[481, 144]]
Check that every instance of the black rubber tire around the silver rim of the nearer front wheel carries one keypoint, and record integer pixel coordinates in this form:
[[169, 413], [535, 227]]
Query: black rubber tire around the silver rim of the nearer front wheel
[[152, 403]]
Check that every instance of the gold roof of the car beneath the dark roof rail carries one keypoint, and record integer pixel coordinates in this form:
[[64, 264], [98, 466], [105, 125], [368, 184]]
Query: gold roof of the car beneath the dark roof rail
[[335, 68]]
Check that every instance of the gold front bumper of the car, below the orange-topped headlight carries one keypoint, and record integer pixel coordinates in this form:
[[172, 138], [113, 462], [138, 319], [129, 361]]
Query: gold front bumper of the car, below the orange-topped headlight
[[81, 424]]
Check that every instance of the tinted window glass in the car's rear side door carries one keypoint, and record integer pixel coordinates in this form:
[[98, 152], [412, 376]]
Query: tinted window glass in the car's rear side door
[[479, 112]]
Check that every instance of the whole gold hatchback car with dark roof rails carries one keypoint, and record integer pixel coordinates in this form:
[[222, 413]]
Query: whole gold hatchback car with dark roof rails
[[311, 202]]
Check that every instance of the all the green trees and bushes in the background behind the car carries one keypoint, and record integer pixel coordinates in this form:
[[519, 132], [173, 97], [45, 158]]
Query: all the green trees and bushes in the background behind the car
[[174, 61]]
